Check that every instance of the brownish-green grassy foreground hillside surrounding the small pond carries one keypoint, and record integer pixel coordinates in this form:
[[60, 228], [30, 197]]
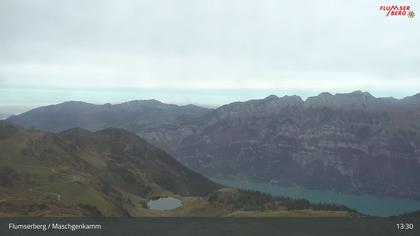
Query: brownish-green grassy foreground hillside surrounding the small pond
[[113, 172]]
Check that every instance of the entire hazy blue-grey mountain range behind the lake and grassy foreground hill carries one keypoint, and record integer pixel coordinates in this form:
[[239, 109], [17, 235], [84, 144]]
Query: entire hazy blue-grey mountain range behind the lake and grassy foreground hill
[[350, 142]]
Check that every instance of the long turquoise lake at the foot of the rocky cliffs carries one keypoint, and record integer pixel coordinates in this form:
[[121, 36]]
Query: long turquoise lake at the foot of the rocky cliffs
[[366, 204]]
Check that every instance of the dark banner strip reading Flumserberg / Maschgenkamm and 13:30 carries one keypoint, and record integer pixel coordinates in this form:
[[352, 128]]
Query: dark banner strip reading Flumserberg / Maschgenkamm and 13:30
[[210, 226]]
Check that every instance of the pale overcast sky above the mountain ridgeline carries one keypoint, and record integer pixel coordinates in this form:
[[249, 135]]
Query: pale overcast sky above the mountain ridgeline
[[206, 52]]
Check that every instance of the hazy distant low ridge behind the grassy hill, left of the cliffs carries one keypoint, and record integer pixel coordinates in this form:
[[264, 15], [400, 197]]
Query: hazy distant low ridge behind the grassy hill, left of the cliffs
[[133, 115]]
